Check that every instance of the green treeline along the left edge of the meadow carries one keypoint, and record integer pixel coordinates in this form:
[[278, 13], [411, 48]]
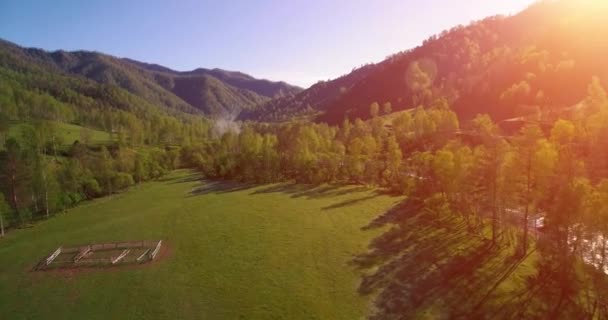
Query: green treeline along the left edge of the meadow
[[41, 177]]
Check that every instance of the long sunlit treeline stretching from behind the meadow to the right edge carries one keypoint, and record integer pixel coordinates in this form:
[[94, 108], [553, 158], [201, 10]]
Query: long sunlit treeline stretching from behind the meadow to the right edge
[[553, 175]]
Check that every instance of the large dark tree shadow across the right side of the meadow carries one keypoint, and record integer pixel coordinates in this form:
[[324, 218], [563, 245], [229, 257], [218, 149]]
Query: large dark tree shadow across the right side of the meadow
[[426, 266]]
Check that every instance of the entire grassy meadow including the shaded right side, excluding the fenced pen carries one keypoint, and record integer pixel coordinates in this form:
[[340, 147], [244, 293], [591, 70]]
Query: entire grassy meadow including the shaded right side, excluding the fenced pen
[[277, 251]]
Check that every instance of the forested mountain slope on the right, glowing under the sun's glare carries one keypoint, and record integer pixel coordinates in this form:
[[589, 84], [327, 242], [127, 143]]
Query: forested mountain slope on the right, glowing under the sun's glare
[[540, 59]]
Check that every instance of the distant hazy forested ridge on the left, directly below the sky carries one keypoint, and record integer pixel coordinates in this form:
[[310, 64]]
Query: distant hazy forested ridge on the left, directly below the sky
[[214, 92]]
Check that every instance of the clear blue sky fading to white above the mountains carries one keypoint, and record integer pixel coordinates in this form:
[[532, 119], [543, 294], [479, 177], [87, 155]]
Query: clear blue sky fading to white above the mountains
[[299, 41]]
